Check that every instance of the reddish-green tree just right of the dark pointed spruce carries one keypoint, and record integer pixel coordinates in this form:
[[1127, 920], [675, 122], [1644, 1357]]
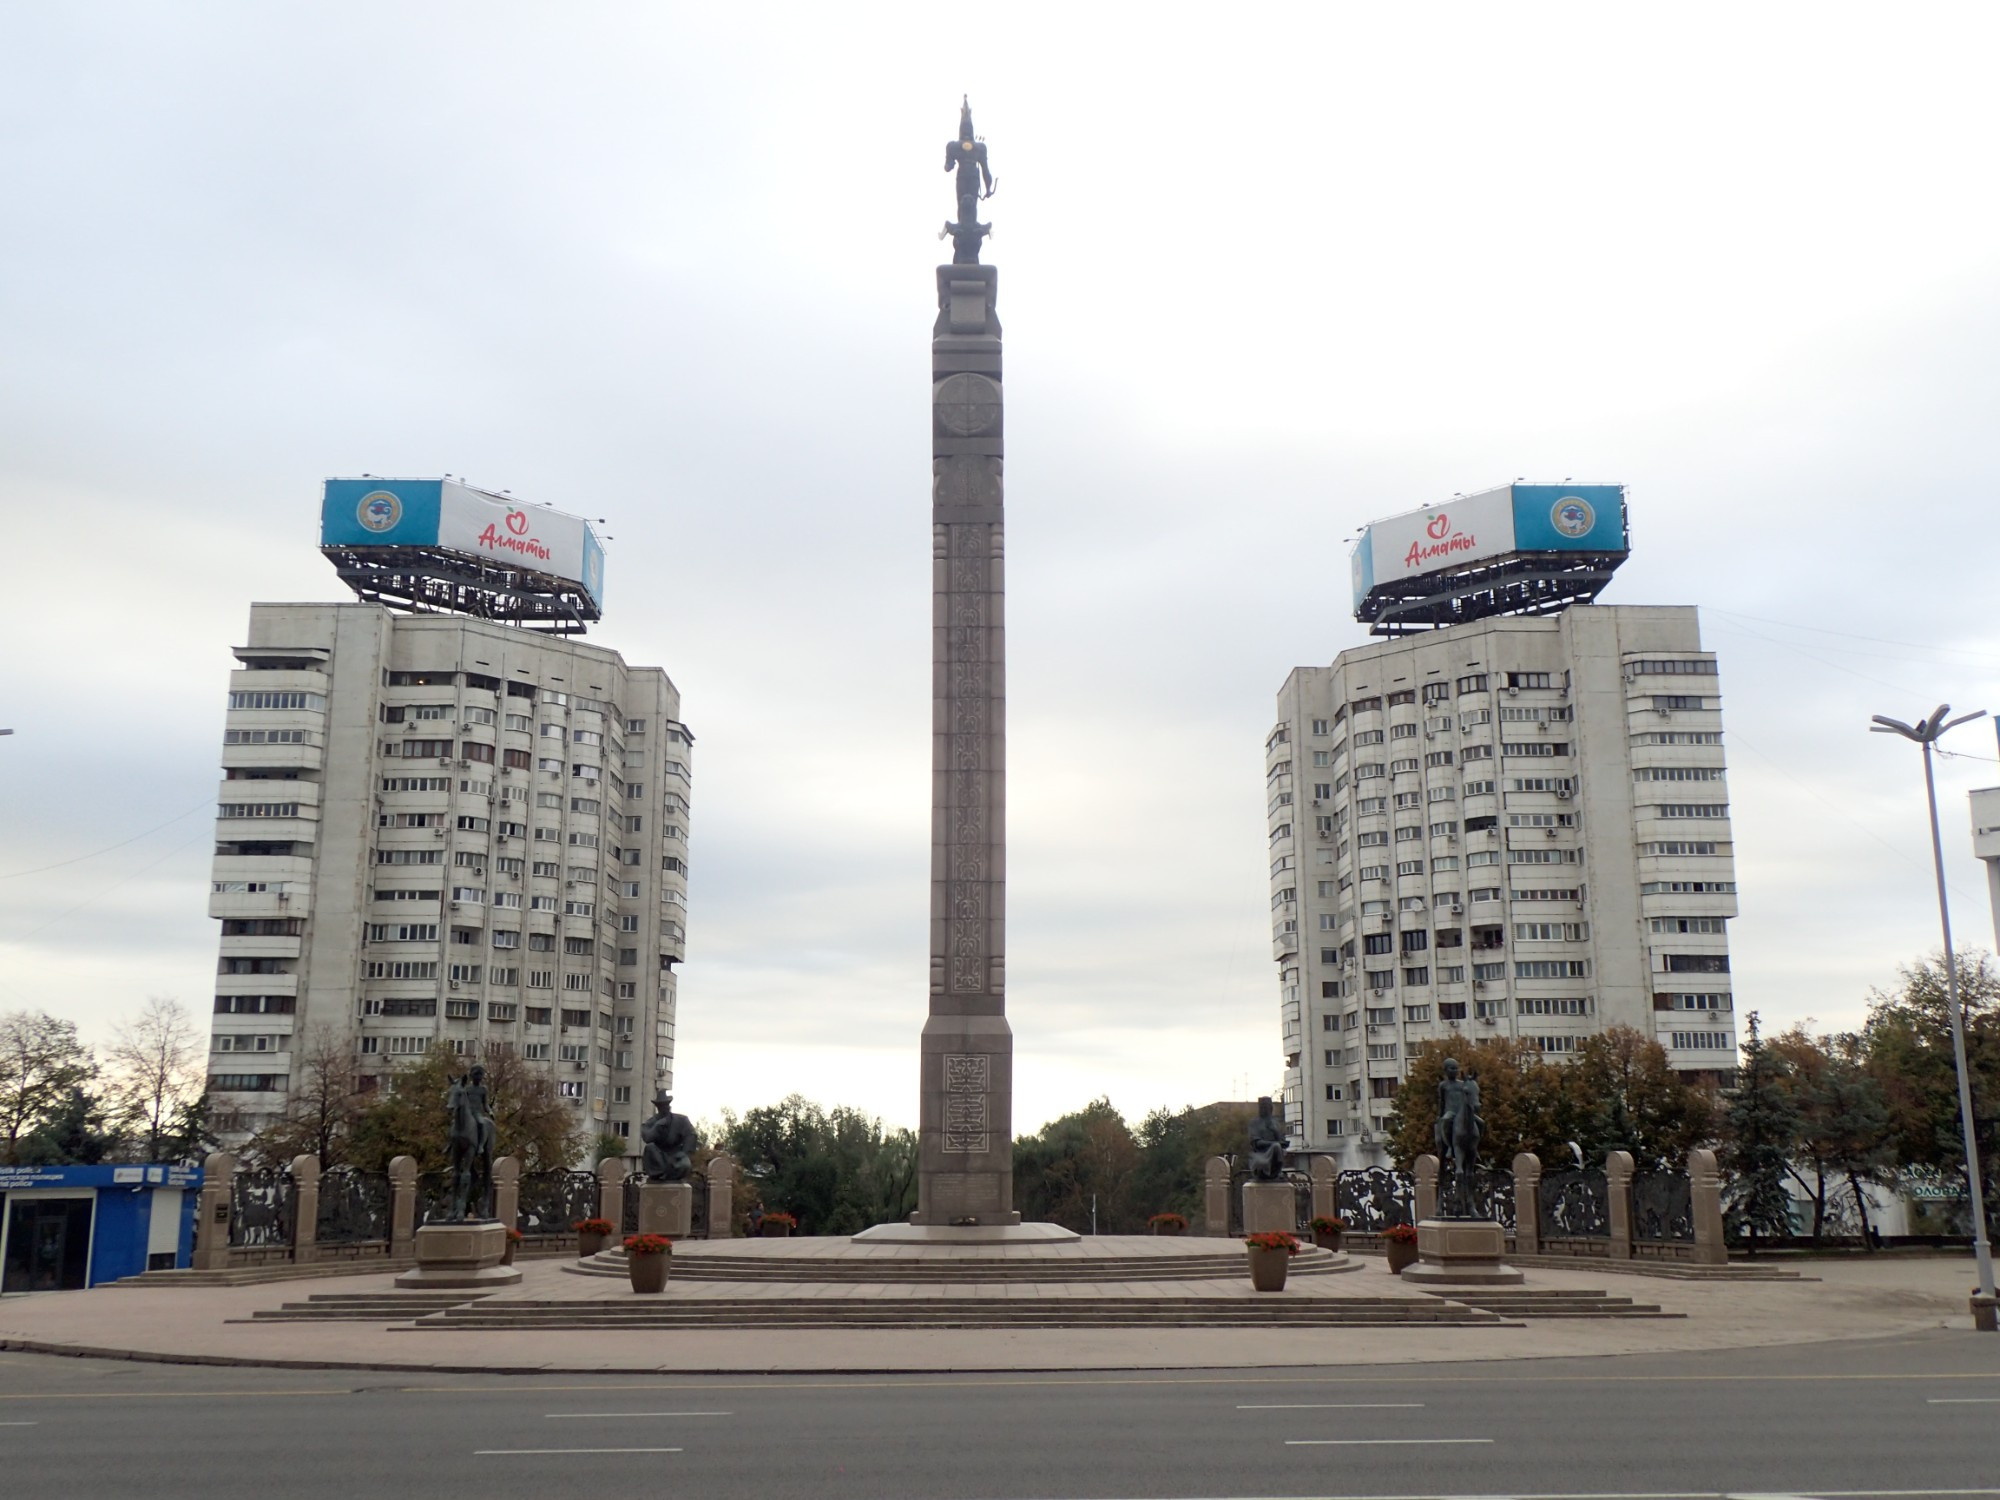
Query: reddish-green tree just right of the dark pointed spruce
[[1843, 1141]]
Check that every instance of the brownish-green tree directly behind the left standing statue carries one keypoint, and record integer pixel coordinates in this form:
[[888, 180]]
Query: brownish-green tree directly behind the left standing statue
[[533, 1123]]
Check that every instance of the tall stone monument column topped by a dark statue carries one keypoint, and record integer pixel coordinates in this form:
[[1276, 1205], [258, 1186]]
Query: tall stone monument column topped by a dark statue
[[965, 1185]]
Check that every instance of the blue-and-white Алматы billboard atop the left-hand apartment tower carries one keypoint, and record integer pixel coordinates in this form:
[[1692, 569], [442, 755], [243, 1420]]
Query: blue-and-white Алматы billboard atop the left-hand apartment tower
[[451, 517]]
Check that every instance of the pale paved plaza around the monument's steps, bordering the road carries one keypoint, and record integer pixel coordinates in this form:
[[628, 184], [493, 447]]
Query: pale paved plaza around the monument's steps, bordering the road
[[1853, 1299]]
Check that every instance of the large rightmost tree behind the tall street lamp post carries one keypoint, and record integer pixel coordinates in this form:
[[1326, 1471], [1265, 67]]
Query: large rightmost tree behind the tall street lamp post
[[1909, 1053]]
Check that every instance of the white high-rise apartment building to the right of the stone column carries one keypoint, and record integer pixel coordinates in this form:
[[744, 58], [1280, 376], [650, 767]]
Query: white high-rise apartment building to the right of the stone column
[[1515, 827]]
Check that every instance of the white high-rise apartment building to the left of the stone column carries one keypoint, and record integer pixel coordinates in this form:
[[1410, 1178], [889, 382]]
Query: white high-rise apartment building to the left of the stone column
[[437, 827]]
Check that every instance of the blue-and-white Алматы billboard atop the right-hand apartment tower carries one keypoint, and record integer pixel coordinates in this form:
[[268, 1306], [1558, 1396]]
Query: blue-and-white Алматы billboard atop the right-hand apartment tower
[[1517, 519]]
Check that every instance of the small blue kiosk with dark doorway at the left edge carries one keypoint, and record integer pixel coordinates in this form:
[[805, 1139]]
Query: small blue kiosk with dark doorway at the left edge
[[73, 1227]]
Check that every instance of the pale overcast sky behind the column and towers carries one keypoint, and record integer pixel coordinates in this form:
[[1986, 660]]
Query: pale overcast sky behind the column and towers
[[1267, 273]]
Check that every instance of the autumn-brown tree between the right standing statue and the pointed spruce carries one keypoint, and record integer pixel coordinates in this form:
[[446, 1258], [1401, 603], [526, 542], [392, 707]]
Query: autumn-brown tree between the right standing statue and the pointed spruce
[[1627, 1097]]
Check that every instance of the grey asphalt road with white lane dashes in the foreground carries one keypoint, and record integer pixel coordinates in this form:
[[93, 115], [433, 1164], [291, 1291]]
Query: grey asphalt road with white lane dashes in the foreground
[[1913, 1417]]
